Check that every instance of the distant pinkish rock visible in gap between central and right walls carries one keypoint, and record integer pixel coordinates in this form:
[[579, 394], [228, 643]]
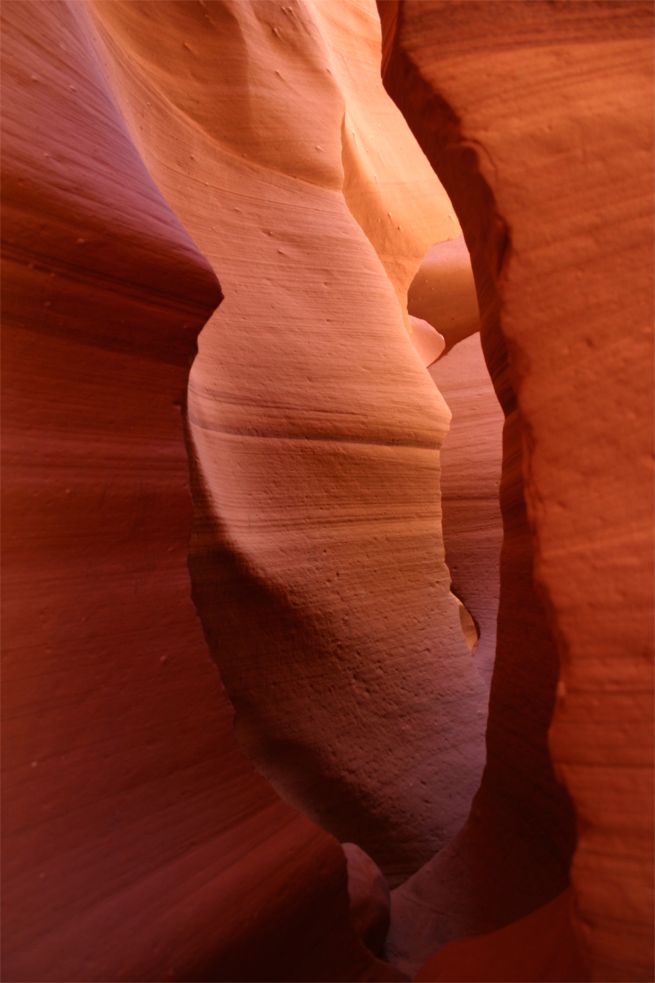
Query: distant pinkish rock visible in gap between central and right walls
[[443, 295]]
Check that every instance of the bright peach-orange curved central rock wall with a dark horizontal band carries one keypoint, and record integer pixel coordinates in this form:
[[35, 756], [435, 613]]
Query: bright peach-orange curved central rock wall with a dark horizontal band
[[317, 558]]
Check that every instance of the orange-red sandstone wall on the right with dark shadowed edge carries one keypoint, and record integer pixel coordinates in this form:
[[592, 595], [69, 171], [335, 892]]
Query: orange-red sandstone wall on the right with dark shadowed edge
[[538, 119]]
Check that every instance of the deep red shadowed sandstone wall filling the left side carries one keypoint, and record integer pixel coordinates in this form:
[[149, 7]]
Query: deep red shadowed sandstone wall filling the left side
[[138, 842]]
